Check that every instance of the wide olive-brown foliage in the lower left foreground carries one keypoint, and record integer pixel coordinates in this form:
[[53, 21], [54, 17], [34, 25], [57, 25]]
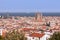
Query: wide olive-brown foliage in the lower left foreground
[[14, 36]]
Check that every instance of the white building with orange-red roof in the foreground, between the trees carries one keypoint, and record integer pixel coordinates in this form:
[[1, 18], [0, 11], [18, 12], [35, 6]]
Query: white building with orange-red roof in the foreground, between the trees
[[38, 36]]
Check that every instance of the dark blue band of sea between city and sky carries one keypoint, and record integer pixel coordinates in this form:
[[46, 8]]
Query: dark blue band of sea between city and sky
[[29, 14]]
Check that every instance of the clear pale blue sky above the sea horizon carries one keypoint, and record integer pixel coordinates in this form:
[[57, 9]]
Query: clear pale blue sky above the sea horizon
[[29, 5]]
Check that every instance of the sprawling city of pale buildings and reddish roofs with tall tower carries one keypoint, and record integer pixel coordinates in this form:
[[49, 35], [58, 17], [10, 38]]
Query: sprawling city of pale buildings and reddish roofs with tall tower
[[38, 27]]
